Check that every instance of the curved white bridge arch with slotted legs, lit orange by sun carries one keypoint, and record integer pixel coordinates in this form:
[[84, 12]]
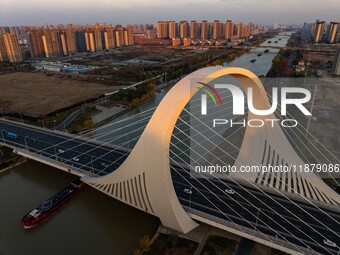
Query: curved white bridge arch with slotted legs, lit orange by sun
[[144, 179]]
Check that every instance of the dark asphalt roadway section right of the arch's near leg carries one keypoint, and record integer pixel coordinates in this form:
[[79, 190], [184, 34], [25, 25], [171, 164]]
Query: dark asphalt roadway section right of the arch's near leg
[[251, 208]]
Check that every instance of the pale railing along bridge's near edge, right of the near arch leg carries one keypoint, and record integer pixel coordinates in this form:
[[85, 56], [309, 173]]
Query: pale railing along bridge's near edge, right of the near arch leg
[[249, 231]]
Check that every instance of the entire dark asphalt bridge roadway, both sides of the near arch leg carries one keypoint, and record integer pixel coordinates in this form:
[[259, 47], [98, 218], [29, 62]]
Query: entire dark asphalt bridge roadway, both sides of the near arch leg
[[272, 214]]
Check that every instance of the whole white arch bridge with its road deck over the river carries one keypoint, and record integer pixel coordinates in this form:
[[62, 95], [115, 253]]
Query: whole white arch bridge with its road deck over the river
[[294, 212]]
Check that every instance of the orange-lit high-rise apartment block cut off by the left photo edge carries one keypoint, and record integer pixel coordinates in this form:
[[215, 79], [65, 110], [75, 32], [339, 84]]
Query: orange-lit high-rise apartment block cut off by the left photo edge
[[10, 48]]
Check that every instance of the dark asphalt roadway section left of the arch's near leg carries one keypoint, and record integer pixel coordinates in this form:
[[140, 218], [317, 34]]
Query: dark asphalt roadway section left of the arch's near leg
[[92, 157]]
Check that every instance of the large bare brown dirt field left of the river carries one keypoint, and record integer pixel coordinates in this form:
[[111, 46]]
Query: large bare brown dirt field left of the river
[[39, 94]]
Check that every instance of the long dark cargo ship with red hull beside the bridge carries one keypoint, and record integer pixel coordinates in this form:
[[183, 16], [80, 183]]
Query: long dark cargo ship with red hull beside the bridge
[[51, 205]]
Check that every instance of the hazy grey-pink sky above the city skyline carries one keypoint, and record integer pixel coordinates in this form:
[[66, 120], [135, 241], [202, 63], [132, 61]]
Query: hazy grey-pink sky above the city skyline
[[40, 12]]
